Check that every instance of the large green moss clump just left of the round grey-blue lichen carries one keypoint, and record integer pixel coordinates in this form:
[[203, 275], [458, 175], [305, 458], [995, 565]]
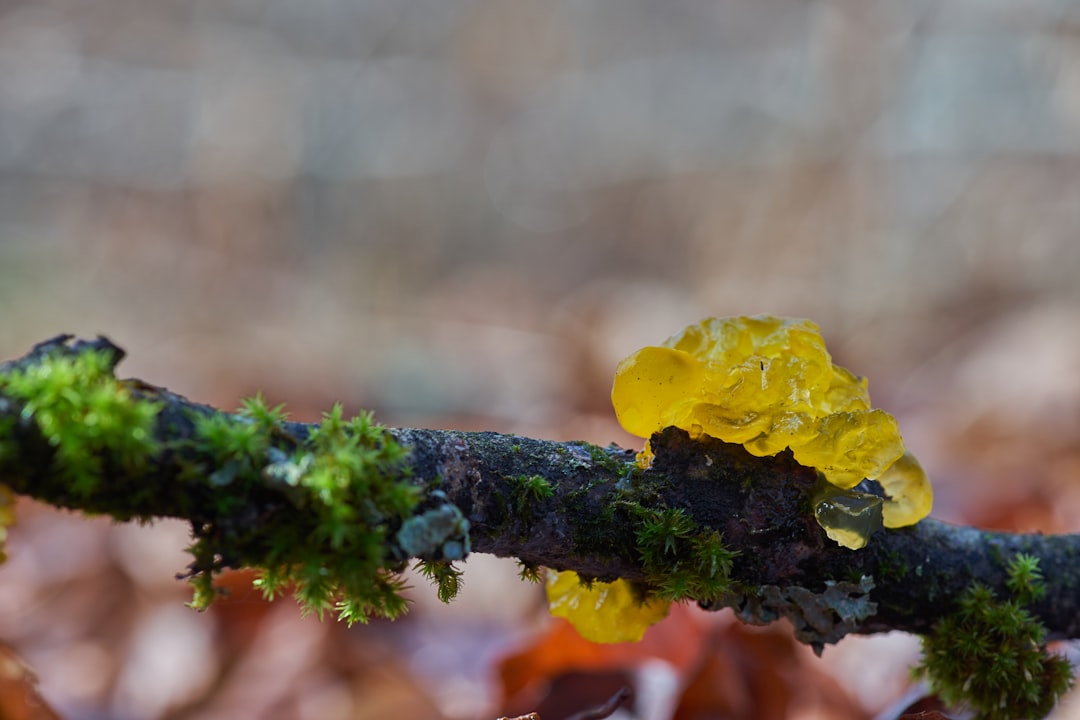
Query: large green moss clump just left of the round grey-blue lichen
[[345, 482]]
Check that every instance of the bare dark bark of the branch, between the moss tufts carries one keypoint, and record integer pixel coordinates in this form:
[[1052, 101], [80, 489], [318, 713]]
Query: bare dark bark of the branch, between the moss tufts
[[762, 506]]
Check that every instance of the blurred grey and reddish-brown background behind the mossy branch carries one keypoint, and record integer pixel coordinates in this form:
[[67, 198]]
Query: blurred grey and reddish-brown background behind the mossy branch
[[464, 214]]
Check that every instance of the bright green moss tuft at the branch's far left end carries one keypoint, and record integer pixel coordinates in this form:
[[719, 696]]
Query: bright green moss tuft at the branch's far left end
[[86, 415]]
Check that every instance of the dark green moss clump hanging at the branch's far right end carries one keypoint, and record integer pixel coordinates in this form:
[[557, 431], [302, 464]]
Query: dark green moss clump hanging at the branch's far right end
[[991, 655]]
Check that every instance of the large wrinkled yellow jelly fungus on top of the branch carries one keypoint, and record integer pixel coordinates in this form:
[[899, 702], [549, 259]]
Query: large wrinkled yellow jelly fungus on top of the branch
[[769, 384]]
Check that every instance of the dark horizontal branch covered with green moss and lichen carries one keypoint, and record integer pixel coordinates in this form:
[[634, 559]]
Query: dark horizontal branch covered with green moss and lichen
[[336, 510]]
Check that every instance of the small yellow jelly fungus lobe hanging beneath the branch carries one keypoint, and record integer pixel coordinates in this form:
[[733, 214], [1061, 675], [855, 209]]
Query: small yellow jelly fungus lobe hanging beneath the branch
[[602, 613]]
